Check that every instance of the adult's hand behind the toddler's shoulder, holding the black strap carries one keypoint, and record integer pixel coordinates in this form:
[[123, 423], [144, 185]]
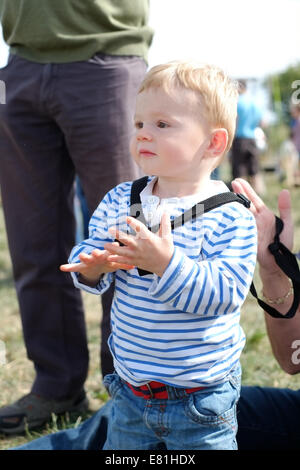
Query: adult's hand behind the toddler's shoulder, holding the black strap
[[265, 222]]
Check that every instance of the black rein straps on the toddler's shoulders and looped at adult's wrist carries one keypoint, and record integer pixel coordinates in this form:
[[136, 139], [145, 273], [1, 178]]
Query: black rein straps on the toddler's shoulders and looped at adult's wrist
[[283, 257]]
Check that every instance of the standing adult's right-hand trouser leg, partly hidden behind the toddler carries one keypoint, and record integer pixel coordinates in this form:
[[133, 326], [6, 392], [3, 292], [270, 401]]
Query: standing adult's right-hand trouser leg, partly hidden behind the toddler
[[97, 121]]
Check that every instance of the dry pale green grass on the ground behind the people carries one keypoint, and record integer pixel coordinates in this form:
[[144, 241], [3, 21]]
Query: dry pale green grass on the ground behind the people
[[259, 365]]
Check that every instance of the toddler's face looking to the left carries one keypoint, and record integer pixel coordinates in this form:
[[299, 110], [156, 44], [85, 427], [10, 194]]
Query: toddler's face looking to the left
[[170, 139]]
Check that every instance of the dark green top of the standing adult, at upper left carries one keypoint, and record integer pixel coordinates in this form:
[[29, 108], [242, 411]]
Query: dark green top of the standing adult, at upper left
[[71, 30]]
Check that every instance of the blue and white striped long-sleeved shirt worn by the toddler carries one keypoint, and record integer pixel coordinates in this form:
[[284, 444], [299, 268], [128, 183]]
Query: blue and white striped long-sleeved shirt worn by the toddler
[[183, 328]]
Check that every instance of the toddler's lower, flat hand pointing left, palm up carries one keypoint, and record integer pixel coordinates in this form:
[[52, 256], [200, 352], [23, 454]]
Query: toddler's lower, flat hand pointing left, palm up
[[95, 264]]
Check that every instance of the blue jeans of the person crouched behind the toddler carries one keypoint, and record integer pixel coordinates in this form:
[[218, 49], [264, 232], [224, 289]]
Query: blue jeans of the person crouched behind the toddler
[[268, 419]]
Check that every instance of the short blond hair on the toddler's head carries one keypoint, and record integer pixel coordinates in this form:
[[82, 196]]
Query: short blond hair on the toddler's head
[[218, 94]]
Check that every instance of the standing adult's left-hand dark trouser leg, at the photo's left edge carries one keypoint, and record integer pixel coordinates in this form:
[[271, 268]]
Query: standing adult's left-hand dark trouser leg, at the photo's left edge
[[36, 176]]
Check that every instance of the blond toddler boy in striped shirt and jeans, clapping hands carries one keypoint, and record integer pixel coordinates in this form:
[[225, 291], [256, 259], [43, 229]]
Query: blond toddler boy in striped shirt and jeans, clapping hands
[[176, 338]]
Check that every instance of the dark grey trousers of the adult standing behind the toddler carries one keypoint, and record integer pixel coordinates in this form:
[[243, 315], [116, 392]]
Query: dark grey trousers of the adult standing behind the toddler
[[60, 120]]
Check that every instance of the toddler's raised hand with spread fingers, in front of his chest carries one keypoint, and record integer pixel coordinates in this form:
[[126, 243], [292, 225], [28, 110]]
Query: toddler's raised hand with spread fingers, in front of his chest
[[146, 250]]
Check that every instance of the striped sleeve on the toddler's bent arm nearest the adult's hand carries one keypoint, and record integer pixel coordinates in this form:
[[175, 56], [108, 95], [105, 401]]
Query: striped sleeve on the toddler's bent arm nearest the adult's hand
[[218, 283]]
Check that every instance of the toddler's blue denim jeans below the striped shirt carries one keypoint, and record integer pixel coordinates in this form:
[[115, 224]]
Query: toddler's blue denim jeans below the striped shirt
[[202, 420]]
